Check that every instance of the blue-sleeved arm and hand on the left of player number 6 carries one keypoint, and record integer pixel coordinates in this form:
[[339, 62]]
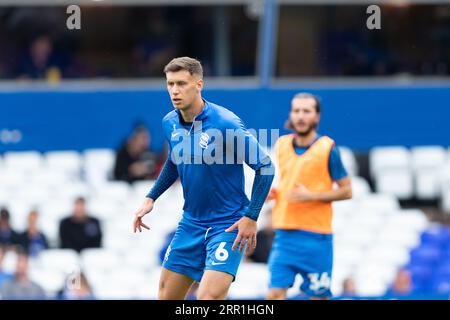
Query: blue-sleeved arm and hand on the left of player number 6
[[166, 178]]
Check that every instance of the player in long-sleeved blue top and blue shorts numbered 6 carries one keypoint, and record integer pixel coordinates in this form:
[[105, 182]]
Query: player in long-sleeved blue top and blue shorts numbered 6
[[218, 217]]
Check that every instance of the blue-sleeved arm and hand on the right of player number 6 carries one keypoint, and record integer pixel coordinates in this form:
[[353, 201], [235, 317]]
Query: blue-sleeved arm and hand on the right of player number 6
[[259, 161]]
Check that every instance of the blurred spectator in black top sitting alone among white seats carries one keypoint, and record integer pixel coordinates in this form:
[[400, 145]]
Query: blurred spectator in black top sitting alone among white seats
[[80, 231]]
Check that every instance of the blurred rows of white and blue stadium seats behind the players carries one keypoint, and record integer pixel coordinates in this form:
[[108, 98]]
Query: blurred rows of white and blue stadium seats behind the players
[[374, 236]]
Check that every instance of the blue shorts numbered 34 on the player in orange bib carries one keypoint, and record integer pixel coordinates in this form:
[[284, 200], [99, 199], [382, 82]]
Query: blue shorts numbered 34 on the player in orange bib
[[306, 253]]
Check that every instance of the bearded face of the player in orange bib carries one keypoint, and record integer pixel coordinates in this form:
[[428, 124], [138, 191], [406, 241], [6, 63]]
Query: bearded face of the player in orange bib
[[304, 117]]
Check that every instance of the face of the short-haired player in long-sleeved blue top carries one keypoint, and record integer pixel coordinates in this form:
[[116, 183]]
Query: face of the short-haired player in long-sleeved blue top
[[183, 88]]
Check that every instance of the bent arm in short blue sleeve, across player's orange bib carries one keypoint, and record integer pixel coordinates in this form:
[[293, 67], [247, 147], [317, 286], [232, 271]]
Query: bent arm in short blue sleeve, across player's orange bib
[[340, 177]]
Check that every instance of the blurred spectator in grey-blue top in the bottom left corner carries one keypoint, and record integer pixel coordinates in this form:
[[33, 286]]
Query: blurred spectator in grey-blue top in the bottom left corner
[[21, 287]]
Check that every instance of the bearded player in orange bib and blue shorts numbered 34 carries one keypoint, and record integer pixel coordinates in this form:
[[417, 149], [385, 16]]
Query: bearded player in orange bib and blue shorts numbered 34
[[308, 165]]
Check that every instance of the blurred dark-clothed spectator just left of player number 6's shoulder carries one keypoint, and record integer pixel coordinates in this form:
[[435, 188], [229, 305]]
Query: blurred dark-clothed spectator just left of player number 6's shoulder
[[134, 160]]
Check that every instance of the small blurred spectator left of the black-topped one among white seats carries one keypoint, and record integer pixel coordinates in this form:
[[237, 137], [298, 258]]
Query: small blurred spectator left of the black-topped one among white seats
[[32, 239]]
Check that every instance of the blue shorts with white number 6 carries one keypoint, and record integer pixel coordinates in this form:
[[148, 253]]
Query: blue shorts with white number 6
[[197, 247]]
